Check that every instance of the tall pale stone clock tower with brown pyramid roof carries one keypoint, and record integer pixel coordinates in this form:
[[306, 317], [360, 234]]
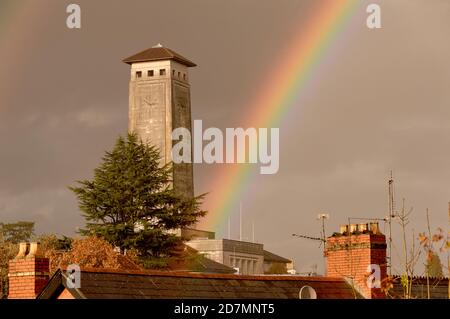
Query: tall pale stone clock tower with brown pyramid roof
[[159, 102]]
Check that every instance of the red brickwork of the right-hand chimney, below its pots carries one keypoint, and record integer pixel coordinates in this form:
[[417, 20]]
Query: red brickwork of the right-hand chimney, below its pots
[[349, 256]]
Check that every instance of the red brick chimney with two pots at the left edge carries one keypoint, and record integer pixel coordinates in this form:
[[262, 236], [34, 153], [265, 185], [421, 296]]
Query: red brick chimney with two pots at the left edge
[[28, 272]]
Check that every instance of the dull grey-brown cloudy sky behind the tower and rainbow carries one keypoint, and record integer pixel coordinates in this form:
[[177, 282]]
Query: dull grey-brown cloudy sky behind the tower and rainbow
[[383, 103]]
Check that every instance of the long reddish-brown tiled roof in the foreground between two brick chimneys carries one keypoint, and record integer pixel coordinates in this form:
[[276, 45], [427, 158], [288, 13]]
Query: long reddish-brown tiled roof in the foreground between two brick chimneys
[[107, 284]]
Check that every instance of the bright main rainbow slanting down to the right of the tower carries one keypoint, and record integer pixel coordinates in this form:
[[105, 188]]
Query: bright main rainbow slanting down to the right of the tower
[[277, 96]]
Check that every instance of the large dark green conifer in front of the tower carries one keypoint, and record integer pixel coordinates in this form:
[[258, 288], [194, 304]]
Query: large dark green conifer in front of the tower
[[130, 202]]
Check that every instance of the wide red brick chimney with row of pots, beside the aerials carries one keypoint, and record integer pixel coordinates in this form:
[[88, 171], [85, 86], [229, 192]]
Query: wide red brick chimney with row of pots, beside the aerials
[[356, 252]]
